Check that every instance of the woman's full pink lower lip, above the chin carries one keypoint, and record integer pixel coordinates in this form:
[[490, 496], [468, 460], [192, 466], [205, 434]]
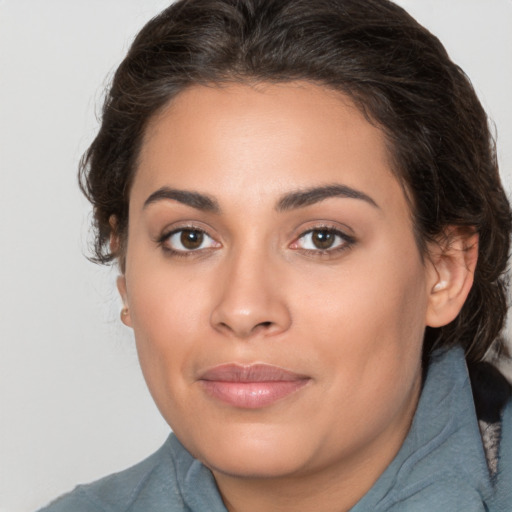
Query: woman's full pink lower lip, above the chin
[[252, 395]]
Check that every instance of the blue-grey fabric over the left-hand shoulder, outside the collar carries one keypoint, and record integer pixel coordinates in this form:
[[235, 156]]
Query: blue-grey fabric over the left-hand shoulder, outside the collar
[[141, 487]]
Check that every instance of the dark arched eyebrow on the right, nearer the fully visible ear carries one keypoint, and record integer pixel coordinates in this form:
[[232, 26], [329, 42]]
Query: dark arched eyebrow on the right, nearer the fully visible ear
[[307, 197]]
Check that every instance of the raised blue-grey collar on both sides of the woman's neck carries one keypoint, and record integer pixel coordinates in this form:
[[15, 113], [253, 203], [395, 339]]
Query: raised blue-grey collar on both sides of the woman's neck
[[443, 449]]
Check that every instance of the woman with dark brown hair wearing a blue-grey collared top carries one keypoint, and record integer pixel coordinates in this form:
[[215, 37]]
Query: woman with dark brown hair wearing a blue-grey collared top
[[304, 203]]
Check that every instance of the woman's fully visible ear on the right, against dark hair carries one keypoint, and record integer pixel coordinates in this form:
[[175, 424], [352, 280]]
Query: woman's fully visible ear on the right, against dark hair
[[452, 261]]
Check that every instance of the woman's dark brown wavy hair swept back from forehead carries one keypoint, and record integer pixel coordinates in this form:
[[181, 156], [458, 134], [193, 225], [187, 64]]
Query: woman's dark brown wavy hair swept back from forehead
[[398, 74]]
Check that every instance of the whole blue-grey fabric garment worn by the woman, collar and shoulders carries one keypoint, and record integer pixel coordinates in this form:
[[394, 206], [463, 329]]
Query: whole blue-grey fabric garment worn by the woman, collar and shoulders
[[441, 466]]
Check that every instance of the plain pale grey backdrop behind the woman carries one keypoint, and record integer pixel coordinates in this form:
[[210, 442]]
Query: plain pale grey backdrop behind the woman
[[73, 404]]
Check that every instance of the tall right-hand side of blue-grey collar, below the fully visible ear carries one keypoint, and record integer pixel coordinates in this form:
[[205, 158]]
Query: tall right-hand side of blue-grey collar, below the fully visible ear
[[441, 464]]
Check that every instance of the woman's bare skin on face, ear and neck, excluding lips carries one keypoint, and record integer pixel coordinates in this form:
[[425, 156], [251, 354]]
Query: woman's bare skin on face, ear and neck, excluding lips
[[257, 290]]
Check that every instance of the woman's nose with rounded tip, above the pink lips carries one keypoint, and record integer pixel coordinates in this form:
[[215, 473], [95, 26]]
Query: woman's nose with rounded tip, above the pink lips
[[251, 299]]
